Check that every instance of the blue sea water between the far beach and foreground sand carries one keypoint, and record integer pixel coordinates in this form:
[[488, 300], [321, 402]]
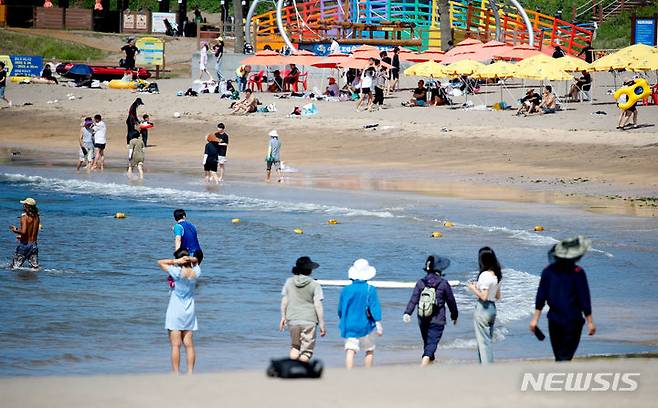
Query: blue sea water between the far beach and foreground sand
[[97, 304]]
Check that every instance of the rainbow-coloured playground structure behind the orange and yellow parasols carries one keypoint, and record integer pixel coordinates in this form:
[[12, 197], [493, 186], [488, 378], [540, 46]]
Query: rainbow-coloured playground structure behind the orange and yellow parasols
[[312, 24]]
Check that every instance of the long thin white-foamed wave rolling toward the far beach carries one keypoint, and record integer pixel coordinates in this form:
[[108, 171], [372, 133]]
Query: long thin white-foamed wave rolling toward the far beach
[[170, 195]]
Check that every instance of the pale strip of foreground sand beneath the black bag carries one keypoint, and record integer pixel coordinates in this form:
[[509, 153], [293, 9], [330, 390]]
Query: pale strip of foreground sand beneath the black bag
[[391, 386]]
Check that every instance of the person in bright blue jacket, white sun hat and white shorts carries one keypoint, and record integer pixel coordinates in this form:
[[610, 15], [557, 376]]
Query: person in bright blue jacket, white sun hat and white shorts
[[360, 314]]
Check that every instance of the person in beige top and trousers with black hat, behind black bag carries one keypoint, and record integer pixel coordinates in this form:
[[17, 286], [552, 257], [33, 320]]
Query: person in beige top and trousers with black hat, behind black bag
[[301, 309]]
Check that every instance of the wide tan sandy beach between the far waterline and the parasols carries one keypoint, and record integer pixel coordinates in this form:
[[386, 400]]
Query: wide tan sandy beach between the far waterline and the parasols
[[575, 157]]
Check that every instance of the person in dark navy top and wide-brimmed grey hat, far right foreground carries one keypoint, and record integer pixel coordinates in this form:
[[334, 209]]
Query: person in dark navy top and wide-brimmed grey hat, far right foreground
[[563, 286]]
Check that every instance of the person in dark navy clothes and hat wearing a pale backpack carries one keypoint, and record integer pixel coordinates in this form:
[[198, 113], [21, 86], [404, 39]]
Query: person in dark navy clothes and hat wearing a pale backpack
[[430, 295]]
